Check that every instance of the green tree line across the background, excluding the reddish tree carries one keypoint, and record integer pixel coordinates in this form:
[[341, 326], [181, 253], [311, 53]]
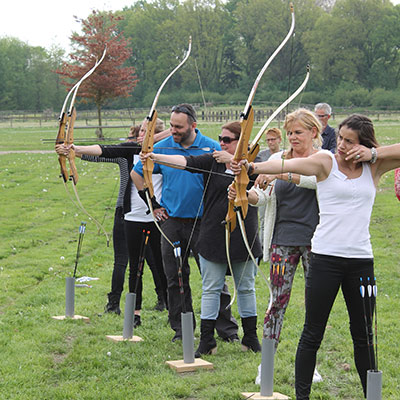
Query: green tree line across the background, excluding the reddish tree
[[352, 47]]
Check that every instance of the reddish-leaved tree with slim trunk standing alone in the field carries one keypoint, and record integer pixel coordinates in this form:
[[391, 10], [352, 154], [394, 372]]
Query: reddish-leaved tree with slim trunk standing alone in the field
[[111, 79]]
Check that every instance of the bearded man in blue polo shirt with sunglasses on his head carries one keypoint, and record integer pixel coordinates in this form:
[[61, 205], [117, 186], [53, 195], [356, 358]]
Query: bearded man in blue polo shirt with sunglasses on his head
[[182, 208]]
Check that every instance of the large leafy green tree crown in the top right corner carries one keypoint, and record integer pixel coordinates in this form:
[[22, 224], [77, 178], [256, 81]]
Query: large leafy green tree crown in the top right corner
[[357, 43]]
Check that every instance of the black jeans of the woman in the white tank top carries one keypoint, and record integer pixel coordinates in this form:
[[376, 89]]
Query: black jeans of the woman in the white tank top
[[326, 275]]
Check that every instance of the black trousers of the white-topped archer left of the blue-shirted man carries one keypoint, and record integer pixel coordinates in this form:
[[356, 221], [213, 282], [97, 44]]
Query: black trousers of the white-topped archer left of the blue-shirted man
[[134, 237]]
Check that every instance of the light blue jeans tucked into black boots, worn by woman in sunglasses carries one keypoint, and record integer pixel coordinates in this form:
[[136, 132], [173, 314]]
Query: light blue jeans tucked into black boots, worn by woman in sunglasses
[[213, 277]]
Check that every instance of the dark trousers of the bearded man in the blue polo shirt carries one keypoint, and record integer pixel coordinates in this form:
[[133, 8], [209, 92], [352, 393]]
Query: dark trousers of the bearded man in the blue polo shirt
[[181, 230]]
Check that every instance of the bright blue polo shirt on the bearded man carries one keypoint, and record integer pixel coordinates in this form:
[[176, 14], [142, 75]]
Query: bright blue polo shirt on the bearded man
[[182, 191]]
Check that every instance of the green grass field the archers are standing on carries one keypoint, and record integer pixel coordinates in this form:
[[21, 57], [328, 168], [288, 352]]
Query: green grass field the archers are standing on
[[41, 358]]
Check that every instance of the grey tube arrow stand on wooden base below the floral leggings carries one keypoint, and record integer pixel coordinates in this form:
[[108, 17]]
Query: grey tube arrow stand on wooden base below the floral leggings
[[267, 374]]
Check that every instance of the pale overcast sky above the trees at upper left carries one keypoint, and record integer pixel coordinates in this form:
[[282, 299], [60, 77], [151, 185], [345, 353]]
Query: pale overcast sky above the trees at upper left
[[50, 22]]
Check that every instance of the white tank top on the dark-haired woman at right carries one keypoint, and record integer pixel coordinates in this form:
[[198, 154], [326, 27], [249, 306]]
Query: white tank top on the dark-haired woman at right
[[345, 207]]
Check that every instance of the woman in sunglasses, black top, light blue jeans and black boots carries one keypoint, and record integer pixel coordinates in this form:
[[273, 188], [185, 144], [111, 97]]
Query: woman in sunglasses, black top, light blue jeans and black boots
[[213, 259]]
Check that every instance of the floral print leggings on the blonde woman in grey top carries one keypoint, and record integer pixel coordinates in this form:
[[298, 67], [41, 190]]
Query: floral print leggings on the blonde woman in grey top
[[283, 265]]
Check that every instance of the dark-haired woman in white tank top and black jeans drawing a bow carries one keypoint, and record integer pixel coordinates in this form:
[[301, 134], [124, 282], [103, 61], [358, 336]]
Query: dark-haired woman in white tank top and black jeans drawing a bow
[[341, 248]]
